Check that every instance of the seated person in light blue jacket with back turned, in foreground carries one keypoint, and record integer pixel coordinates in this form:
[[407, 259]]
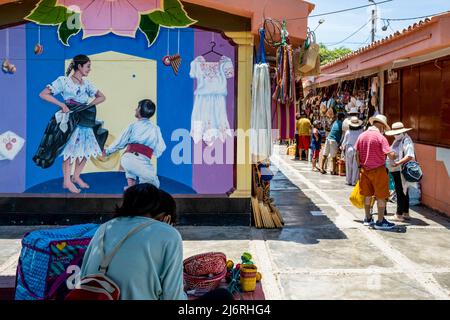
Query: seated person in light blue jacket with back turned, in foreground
[[149, 265]]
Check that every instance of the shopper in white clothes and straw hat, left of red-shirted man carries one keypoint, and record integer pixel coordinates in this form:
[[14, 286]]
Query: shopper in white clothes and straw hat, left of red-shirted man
[[348, 147]]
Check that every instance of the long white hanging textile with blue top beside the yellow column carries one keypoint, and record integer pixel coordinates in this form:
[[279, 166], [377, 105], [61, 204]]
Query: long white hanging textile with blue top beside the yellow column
[[261, 133]]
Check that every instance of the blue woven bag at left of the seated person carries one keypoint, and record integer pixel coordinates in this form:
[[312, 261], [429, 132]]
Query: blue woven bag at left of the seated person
[[44, 260]]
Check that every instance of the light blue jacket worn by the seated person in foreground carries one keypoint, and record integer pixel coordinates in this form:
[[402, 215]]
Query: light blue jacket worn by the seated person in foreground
[[148, 266]]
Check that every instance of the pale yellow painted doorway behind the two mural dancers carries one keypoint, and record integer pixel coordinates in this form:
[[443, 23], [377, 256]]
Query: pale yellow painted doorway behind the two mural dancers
[[124, 80]]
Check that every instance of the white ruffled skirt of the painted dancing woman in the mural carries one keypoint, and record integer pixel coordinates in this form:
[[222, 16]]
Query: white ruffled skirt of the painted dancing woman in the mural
[[82, 144]]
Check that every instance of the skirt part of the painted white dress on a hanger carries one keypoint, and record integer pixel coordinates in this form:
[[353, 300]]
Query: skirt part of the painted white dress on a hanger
[[209, 119]]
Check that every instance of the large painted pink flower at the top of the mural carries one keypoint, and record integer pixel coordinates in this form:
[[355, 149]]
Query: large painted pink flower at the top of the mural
[[99, 17]]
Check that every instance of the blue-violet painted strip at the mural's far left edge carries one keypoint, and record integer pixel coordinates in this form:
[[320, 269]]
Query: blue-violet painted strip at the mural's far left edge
[[13, 107]]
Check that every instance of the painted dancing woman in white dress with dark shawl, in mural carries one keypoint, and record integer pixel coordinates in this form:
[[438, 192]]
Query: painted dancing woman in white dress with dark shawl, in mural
[[78, 136]]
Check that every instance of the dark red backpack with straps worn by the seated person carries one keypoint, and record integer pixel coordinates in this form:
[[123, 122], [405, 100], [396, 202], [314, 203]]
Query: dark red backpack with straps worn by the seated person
[[99, 286]]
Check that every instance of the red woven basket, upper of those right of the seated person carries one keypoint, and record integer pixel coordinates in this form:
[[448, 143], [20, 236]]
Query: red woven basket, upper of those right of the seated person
[[205, 264]]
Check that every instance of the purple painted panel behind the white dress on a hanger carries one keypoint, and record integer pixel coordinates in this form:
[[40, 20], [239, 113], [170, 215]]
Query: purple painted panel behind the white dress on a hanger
[[216, 178]]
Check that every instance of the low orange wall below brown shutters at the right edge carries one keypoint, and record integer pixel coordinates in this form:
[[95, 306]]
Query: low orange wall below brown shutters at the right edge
[[436, 181]]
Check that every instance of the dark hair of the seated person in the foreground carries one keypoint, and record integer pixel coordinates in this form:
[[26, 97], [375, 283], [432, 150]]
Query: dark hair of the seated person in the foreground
[[143, 199]]
